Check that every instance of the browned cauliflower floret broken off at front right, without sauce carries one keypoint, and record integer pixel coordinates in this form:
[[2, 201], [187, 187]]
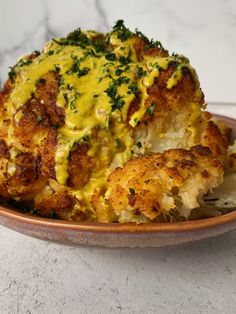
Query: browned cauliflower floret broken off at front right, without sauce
[[155, 184]]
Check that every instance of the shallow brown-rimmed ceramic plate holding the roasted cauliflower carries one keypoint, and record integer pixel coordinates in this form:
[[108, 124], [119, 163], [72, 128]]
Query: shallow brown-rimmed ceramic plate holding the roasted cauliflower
[[120, 235]]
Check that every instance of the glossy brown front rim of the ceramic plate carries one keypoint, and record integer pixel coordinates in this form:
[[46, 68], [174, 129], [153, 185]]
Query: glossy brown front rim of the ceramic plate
[[193, 225]]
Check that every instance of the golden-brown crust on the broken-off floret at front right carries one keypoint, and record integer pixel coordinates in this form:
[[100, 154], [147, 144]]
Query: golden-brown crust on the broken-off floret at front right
[[143, 181]]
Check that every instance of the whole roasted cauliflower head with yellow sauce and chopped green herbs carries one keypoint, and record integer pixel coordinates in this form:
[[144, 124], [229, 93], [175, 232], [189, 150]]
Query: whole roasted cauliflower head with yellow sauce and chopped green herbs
[[108, 128]]
